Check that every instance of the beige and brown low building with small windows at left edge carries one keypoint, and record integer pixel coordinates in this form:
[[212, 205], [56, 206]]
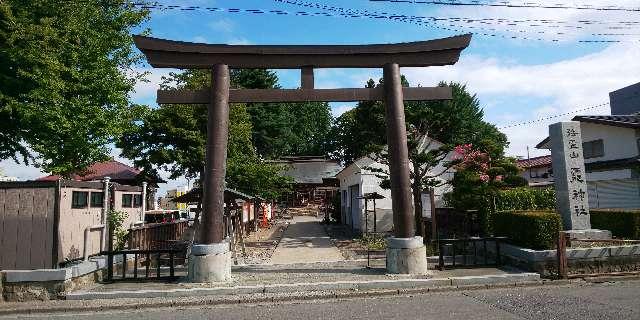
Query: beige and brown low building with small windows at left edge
[[49, 223]]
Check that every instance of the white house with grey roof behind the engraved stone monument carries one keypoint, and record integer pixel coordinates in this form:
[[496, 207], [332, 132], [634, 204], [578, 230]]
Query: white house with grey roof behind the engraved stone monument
[[611, 146]]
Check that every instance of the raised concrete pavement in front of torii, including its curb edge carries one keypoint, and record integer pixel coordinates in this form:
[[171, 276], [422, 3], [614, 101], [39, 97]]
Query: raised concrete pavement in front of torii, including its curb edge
[[304, 278]]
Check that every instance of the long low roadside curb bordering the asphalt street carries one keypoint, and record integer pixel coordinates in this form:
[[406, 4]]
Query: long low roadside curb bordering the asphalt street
[[266, 298]]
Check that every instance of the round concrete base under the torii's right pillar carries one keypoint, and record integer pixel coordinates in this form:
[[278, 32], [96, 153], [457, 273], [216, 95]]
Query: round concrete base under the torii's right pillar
[[406, 256]]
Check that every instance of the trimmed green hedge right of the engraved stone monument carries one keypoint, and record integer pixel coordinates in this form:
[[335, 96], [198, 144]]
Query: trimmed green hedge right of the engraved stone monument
[[622, 224]]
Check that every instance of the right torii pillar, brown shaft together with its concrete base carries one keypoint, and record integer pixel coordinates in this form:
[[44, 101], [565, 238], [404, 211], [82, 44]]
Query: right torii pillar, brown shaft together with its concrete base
[[406, 253]]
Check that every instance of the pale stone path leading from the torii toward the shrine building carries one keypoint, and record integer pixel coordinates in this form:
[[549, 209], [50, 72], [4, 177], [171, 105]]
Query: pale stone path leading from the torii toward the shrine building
[[305, 241]]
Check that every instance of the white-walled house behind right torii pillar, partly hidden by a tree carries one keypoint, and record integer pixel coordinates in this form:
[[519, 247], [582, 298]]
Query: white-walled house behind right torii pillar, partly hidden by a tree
[[358, 179]]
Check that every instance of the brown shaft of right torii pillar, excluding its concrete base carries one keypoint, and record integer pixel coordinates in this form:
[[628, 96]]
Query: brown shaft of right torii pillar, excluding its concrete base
[[403, 220]]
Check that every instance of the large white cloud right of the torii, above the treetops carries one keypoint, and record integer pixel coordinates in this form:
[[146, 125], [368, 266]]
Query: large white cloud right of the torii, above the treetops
[[569, 85]]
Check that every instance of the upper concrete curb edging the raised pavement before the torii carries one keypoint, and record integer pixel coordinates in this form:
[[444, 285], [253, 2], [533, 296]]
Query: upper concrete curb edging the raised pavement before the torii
[[399, 284]]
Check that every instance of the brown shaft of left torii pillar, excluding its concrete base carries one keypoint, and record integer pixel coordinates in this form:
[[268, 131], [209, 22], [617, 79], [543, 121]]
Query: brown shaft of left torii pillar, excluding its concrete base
[[215, 166]]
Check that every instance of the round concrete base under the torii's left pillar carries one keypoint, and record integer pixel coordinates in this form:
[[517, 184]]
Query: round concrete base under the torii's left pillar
[[210, 263]]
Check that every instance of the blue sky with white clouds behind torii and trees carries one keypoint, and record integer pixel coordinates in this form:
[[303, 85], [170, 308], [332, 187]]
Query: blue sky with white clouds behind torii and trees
[[516, 80]]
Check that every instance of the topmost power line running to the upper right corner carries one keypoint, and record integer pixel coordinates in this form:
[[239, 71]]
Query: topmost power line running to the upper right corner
[[527, 5]]
